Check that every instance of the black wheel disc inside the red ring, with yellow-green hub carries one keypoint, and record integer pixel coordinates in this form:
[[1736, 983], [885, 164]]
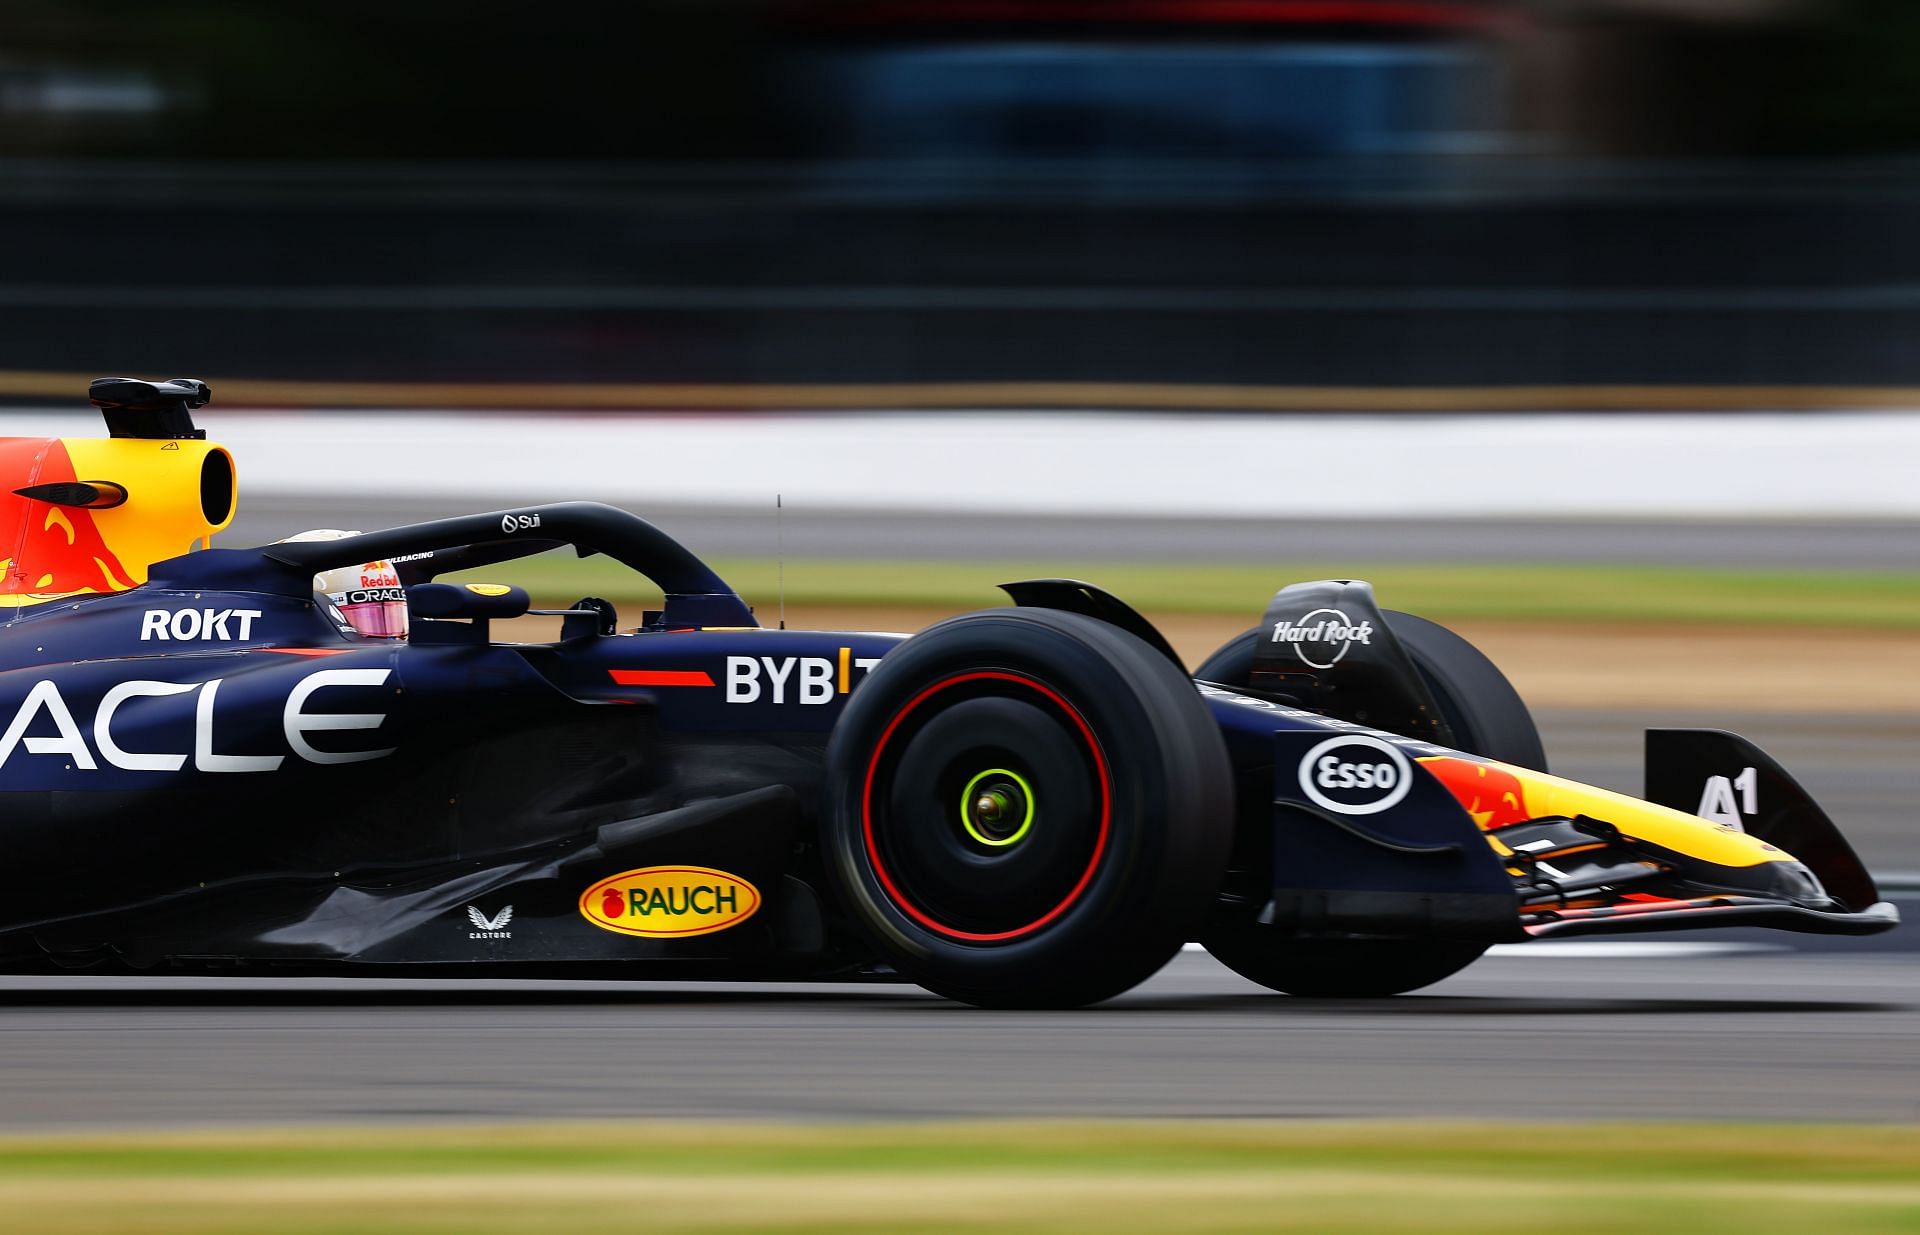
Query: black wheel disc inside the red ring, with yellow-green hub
[[988, 808]]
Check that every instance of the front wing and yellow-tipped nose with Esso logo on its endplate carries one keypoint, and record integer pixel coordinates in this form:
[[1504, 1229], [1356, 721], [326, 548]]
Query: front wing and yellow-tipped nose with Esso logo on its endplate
[[1372, 836]]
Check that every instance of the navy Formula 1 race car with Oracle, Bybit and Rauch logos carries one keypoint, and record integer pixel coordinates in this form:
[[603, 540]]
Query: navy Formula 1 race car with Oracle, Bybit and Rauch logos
[[206, 769]]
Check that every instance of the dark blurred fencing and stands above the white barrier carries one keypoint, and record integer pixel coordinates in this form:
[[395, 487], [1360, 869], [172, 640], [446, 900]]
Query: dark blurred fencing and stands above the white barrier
[[1303, 193]]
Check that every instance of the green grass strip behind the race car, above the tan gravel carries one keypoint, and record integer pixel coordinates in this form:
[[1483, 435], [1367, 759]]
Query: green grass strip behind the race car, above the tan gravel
[[1522, 593]]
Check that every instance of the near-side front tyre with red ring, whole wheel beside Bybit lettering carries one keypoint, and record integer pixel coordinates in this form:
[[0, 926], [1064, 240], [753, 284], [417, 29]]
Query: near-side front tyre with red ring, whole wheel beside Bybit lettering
[[1028, 808]]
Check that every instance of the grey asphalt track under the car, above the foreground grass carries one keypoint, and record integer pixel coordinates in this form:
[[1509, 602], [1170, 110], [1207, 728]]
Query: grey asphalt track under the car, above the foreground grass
[[1740, 1034]]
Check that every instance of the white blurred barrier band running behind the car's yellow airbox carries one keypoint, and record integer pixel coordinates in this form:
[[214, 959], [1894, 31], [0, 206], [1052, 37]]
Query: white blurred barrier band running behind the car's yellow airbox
[[1090, 464]]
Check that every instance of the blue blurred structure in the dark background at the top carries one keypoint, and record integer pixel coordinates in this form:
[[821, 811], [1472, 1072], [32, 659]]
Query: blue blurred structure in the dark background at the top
[[1092, 103]]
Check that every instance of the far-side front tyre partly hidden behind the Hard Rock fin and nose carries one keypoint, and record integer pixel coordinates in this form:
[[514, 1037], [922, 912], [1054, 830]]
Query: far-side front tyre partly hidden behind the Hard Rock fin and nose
[[1489, 719]]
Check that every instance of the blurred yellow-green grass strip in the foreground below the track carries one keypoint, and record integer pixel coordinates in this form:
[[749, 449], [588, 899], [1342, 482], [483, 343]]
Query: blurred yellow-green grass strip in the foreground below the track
[[1001, 1178]]
